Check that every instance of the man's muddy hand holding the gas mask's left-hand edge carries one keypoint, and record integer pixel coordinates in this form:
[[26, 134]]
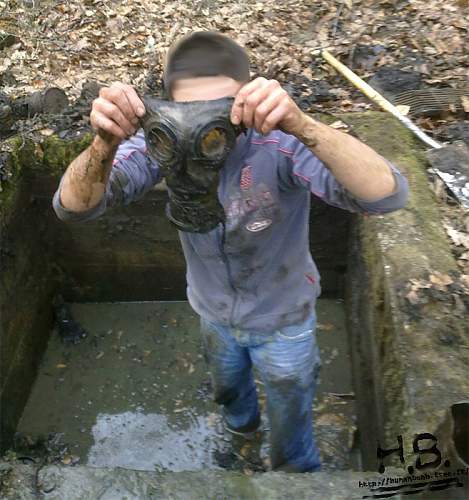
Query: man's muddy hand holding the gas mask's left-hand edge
[[115, 113]]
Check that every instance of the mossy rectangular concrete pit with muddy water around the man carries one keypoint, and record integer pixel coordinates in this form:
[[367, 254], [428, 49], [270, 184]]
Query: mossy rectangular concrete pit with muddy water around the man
[[135, 393]]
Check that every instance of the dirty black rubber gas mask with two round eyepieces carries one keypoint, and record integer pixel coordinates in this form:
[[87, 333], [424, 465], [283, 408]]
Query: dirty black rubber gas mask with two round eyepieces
[[190, 142]]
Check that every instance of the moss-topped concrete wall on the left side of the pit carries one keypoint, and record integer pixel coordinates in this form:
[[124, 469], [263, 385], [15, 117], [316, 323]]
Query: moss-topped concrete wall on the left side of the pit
[[26, 267]]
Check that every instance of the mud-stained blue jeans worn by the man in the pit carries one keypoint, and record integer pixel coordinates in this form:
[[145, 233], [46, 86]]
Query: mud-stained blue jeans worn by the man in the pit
[[288, 363]]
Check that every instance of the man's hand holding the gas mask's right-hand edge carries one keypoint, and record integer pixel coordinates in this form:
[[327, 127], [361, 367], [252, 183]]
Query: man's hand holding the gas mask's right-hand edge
[[265, 105]]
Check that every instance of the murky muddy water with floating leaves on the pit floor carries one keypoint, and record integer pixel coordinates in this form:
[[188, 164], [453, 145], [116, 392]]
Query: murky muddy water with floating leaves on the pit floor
[[135, 392]]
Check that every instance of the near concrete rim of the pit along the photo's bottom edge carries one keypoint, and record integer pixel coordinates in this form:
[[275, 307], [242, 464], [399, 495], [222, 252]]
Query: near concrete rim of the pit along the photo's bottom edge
[[86, 482]]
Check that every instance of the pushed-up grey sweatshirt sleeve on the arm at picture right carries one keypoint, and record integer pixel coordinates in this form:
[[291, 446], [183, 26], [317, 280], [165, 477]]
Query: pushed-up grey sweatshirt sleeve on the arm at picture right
[[300, 167]]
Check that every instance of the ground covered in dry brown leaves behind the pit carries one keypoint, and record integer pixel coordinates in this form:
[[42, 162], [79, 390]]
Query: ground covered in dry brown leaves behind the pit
[[65, 43]]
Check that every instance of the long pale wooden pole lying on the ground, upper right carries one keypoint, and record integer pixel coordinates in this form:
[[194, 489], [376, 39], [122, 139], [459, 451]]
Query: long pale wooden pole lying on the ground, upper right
[[371, 93]]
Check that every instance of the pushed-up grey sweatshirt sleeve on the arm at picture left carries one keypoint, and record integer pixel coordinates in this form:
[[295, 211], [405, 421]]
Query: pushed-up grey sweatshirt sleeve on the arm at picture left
[[133, 174]]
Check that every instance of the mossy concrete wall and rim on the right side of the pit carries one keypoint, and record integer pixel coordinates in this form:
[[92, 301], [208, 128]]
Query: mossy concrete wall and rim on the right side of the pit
[[422, 376]]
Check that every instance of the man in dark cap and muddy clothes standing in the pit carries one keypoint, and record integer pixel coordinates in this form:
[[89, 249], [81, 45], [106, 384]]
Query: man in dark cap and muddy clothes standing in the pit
[[252, 280]]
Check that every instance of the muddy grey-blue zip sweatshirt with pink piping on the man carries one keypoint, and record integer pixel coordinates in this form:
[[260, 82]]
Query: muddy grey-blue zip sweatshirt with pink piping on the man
[[254, 272]]
